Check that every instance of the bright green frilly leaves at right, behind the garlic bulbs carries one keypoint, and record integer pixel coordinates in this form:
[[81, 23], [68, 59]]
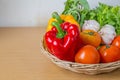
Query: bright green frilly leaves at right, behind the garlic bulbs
[[106, 14]]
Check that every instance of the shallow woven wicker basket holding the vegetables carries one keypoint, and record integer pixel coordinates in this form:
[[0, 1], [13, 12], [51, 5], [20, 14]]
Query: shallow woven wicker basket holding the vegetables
[[90, 69]]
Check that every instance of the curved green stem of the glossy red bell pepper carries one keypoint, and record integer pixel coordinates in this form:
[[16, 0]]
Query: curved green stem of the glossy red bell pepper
[[60, 33]]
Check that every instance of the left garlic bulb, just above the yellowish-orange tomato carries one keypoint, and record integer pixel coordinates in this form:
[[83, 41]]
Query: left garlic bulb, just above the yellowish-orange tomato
[[91, 25]]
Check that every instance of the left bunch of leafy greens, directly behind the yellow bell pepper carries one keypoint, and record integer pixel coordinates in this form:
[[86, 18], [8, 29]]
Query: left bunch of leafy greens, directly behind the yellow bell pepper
[[74, 8]]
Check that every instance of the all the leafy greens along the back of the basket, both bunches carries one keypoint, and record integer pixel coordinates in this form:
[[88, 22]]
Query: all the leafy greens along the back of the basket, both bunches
[[103, 13]]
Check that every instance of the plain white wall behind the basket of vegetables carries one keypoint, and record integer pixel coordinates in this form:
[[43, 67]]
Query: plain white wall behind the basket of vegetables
[[15, 13]]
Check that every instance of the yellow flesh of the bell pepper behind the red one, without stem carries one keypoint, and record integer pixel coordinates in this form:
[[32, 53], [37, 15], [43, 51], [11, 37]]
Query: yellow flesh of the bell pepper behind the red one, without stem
[[66, 18]]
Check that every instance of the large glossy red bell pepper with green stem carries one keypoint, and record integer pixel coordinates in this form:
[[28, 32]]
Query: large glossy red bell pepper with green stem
[[63, 40]]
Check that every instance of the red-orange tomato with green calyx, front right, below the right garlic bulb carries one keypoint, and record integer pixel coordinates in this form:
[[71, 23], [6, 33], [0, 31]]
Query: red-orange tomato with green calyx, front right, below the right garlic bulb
[[109, 53]]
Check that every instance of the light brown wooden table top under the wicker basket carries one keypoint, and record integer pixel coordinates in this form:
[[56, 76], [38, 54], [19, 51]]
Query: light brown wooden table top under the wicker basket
[[21, 59]]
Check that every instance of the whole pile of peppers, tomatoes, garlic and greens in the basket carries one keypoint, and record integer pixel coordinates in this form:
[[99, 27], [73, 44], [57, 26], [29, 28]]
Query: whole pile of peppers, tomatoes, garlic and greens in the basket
[[83, 35]]
